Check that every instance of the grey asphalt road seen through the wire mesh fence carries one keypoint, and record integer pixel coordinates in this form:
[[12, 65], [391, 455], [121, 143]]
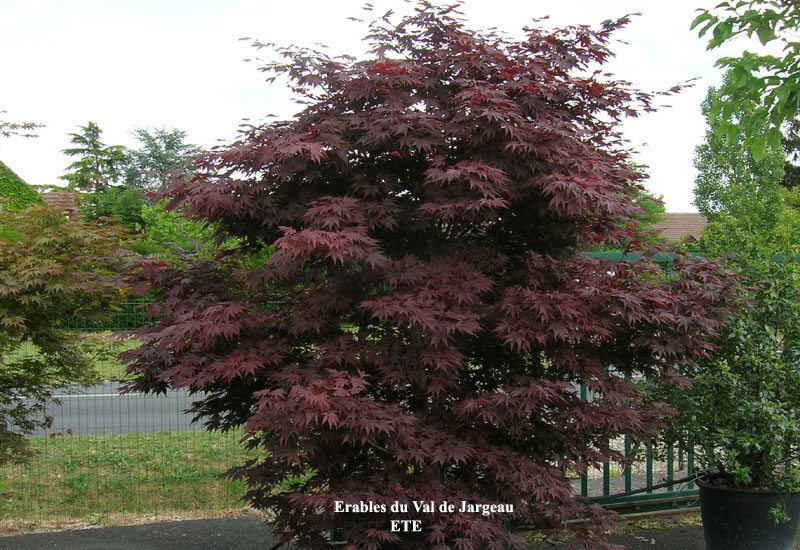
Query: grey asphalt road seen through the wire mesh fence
[[101, 409]]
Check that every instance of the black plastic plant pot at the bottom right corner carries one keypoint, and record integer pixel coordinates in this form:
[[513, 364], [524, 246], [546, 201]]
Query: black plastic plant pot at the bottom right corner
[[739, 519]]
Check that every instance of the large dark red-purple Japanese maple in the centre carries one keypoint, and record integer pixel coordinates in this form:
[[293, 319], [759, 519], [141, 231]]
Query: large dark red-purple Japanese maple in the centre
[[419, 329]]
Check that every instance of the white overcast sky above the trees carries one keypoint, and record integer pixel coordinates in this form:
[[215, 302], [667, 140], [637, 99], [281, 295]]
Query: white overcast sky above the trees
[[178, 63]]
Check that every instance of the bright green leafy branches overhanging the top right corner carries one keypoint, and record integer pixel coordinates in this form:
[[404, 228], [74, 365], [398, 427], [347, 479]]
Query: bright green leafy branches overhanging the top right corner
[[773, 80]]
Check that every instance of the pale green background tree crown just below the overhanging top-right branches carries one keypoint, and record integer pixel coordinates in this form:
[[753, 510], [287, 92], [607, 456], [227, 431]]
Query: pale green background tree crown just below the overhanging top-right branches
[[731, 180]]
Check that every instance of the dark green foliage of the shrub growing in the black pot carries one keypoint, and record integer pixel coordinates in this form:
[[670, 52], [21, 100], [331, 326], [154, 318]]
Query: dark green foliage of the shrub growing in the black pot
[[740, 413]]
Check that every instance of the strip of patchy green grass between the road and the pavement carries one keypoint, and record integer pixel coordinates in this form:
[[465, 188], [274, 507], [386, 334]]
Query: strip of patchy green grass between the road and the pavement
[[98, 480]]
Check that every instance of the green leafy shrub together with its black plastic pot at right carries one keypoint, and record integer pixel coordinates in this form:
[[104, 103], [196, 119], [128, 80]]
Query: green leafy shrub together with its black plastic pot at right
[[741, 413]]
